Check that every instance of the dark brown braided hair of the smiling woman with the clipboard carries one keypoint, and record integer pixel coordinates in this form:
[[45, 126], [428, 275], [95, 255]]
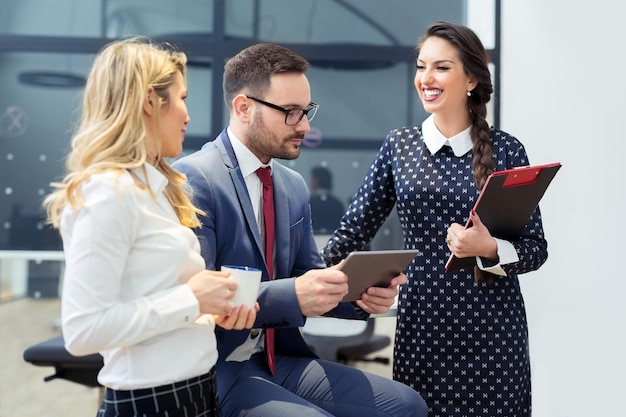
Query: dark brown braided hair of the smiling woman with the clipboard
[[475, 63]]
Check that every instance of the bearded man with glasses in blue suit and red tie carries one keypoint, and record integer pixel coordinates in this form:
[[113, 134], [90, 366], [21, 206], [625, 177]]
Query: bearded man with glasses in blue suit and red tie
[[270, 370]]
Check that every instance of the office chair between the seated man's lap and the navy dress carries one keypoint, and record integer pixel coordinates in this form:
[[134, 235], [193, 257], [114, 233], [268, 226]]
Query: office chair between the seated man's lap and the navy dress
[[344, 341]]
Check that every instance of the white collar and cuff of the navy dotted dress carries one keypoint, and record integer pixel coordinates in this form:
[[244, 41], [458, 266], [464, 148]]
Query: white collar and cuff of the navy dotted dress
[[461, 143]]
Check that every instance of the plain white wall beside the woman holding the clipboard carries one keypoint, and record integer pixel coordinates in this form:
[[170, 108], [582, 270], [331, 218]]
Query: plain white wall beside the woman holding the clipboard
[[563, 95]]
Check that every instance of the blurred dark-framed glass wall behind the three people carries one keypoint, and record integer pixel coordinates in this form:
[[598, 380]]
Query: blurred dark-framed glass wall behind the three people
[[361, 51]]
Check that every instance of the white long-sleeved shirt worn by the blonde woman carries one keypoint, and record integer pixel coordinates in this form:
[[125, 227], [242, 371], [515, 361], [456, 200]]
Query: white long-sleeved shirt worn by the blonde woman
[[127, 257]]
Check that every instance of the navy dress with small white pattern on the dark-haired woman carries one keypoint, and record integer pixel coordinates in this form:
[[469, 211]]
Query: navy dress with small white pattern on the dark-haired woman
[[462, 346]]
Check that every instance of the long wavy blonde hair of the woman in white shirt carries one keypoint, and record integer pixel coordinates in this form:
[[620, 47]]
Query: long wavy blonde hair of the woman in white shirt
[[111, 133]]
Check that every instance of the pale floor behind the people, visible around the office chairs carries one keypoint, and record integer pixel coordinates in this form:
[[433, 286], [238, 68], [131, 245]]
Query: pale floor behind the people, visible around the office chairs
[[23, 392]]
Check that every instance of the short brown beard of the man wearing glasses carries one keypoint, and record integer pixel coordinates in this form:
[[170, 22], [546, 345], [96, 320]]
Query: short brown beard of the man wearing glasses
[[266, 145]]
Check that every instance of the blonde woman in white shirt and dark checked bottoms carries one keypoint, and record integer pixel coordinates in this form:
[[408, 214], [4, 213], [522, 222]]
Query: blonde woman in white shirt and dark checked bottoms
[[136, 289]]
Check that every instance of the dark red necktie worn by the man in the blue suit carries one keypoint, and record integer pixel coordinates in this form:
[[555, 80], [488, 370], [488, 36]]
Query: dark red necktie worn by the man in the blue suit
[[268, 218]]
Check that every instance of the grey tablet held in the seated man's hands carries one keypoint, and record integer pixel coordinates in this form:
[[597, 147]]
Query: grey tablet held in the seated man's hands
[[374, 269]]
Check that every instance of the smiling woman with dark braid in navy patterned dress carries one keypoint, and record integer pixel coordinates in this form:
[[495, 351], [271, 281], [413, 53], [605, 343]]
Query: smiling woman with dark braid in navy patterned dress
[[461, 337]]
